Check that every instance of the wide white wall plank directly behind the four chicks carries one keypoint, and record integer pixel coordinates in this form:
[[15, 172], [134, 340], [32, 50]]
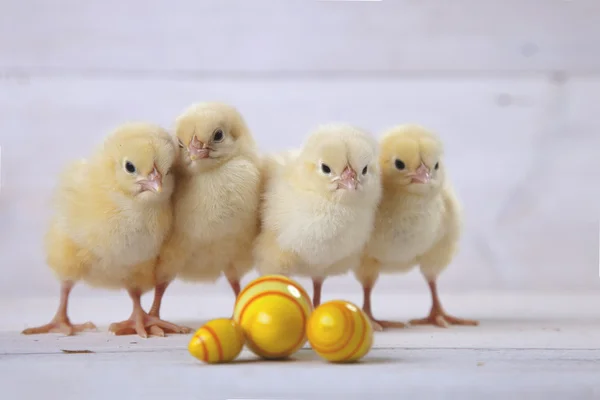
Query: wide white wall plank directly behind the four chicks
[[491, 128]]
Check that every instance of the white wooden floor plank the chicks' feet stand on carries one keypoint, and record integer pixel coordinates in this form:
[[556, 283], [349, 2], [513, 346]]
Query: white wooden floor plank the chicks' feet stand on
[[550, 321]]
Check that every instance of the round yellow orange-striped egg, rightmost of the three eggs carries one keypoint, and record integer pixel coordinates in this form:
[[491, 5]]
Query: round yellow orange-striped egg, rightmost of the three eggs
[[339, 331]]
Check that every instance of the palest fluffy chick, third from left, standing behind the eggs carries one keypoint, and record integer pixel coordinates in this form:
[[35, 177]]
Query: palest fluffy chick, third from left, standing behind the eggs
[[319, 205]]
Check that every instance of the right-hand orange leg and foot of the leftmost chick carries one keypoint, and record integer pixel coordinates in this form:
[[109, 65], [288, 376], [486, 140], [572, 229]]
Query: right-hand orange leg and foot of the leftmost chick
[[140, 320]]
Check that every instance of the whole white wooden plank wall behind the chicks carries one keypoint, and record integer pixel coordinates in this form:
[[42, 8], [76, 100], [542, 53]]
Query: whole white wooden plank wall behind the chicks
[[513, 86]]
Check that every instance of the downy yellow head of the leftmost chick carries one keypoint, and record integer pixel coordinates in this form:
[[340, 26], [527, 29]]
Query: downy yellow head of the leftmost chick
[[140, 157]]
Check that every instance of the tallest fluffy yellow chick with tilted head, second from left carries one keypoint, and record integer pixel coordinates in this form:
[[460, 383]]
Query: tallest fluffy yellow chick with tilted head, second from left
[[215, 201]]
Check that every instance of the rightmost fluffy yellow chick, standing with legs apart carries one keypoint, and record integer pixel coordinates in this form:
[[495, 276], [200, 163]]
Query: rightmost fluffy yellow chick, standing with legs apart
[[418, 221]]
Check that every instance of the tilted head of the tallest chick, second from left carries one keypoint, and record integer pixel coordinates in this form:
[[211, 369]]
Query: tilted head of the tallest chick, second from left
[[209, 134]]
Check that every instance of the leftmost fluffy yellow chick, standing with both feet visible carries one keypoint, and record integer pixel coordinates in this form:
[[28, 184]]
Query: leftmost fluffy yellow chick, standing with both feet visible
[[113, 213]]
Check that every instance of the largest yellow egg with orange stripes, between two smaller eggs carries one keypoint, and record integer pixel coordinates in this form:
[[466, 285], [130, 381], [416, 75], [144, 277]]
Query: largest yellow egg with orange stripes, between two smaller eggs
[[273, 311]]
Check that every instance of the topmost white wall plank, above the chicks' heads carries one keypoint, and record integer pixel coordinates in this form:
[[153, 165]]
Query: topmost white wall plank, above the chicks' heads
[[293, 36]]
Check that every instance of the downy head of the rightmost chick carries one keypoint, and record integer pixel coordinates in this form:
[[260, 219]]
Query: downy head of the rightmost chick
[[411, 159]]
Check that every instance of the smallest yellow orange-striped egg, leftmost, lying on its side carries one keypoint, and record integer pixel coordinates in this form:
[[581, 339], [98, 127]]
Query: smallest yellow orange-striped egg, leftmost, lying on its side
[[219, 340]]
